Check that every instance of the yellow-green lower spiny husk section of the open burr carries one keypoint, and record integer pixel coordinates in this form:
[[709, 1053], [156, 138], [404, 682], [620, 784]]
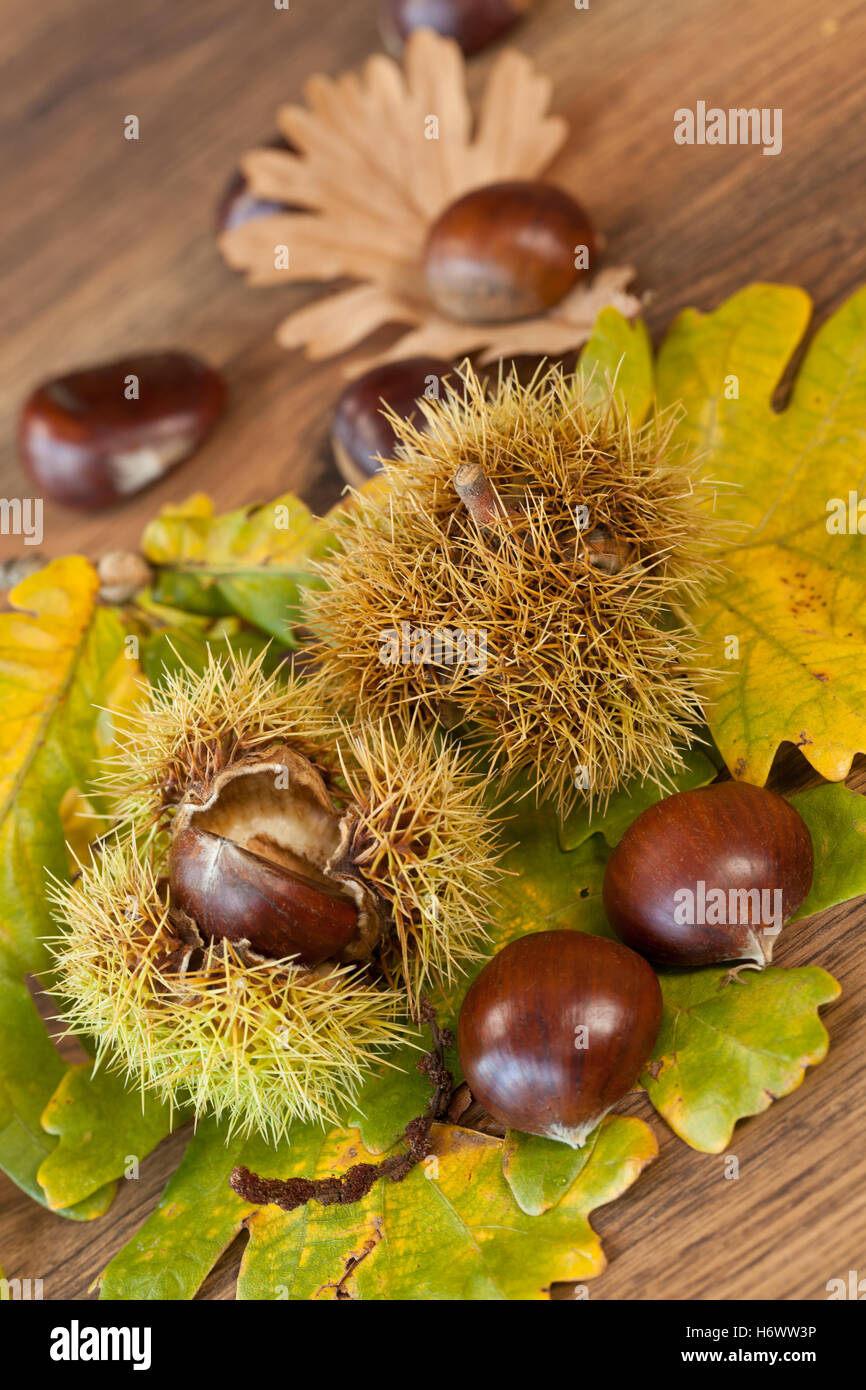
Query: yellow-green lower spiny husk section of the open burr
[[212, 1025]]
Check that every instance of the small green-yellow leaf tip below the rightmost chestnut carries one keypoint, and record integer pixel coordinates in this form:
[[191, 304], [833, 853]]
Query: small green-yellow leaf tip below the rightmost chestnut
[[732, 1046]]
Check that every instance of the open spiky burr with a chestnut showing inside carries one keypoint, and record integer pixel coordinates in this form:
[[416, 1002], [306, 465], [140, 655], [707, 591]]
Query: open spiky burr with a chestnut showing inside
[[280, 889]]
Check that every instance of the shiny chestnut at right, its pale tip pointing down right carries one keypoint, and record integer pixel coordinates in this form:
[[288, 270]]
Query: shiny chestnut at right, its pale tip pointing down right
[[710, 875]]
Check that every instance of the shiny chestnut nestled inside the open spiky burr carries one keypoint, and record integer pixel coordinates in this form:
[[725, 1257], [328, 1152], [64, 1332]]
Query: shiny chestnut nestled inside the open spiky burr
[[237, 896]]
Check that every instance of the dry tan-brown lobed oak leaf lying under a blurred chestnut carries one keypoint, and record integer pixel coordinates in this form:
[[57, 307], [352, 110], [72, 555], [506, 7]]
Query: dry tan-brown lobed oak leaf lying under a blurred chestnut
[[372, 183]]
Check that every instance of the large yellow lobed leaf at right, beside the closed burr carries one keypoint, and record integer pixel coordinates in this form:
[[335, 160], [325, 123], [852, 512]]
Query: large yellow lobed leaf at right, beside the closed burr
[[787, 622]]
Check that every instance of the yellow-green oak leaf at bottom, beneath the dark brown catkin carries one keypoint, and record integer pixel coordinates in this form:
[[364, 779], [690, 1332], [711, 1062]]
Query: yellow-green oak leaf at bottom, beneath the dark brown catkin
[[451, 1231]]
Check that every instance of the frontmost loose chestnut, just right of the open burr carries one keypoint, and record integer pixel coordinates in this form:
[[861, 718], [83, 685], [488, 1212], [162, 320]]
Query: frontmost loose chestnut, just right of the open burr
[[557, 1029]]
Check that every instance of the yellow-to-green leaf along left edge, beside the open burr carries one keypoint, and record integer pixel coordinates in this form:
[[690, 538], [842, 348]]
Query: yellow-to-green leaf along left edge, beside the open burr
[[63, 669]]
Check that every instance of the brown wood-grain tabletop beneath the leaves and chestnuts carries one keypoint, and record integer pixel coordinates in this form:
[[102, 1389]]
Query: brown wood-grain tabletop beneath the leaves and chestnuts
[[109, 247]]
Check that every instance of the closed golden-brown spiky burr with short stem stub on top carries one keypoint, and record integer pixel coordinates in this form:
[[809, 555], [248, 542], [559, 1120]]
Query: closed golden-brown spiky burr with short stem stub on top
[[558, 546]]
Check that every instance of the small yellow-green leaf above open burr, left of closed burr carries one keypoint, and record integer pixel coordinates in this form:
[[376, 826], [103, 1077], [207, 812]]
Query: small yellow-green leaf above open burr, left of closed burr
[[251, 562]]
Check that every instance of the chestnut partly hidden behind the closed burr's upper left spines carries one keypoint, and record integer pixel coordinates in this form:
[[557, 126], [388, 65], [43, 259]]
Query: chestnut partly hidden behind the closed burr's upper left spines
[[362, 433]]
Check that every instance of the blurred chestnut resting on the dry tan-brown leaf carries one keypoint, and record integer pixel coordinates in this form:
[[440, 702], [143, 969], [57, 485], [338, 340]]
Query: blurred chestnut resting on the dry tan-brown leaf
[[507, 252]]
